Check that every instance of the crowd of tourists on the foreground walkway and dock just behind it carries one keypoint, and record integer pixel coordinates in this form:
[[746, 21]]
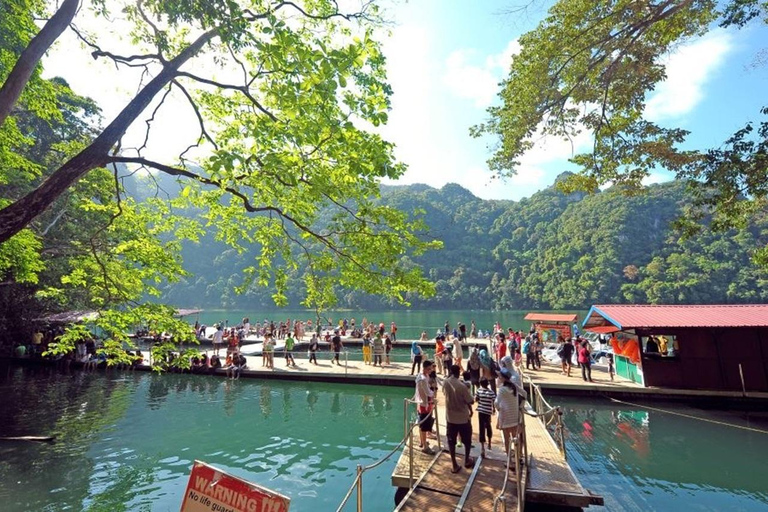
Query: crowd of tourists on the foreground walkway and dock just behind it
[[489, 380]]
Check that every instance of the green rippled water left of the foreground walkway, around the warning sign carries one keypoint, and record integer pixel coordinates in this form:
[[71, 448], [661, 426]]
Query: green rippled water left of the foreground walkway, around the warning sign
[[127, 441]]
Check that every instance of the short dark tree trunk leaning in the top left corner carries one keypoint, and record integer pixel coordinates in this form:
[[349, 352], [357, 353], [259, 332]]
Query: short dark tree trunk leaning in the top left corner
[[22, 70]]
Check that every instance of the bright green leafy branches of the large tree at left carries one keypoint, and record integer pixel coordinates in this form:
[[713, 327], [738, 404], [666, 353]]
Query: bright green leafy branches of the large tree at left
[[281, 138]]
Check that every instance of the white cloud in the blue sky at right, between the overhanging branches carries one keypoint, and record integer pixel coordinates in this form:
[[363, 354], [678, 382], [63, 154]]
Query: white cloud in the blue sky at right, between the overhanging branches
[[688, 70]]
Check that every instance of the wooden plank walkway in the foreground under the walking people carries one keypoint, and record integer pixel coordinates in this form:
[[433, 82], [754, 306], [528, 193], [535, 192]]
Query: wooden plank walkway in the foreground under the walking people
[[549, 479]]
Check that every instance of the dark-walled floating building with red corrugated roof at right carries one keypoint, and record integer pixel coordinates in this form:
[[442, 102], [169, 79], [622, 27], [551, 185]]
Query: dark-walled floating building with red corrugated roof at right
[[723, 347]]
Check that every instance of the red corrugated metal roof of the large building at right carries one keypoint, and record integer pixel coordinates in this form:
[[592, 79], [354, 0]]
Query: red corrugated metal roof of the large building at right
[[628, 316]]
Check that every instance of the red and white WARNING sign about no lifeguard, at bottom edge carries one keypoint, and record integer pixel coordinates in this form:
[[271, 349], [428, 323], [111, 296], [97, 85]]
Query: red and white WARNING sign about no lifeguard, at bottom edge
[[212, 490]]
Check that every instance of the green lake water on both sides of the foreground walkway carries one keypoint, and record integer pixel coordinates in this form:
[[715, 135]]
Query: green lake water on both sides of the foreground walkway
[[126, 442]]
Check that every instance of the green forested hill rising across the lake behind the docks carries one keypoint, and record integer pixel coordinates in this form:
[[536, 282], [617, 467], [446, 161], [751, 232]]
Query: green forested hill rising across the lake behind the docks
[[549, 251]]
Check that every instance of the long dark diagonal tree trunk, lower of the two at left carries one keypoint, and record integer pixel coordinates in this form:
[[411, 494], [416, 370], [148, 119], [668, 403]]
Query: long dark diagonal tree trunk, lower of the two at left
[[17, 215]]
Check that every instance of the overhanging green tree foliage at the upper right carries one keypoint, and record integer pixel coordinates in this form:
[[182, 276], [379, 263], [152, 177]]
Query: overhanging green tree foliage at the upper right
[[589, 67]]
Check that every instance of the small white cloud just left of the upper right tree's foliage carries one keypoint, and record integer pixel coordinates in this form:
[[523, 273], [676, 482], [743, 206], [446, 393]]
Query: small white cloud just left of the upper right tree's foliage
[[470, 76]]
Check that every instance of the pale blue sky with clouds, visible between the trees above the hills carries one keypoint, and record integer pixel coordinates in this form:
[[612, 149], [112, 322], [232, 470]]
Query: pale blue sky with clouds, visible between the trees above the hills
[[445, 60]]
